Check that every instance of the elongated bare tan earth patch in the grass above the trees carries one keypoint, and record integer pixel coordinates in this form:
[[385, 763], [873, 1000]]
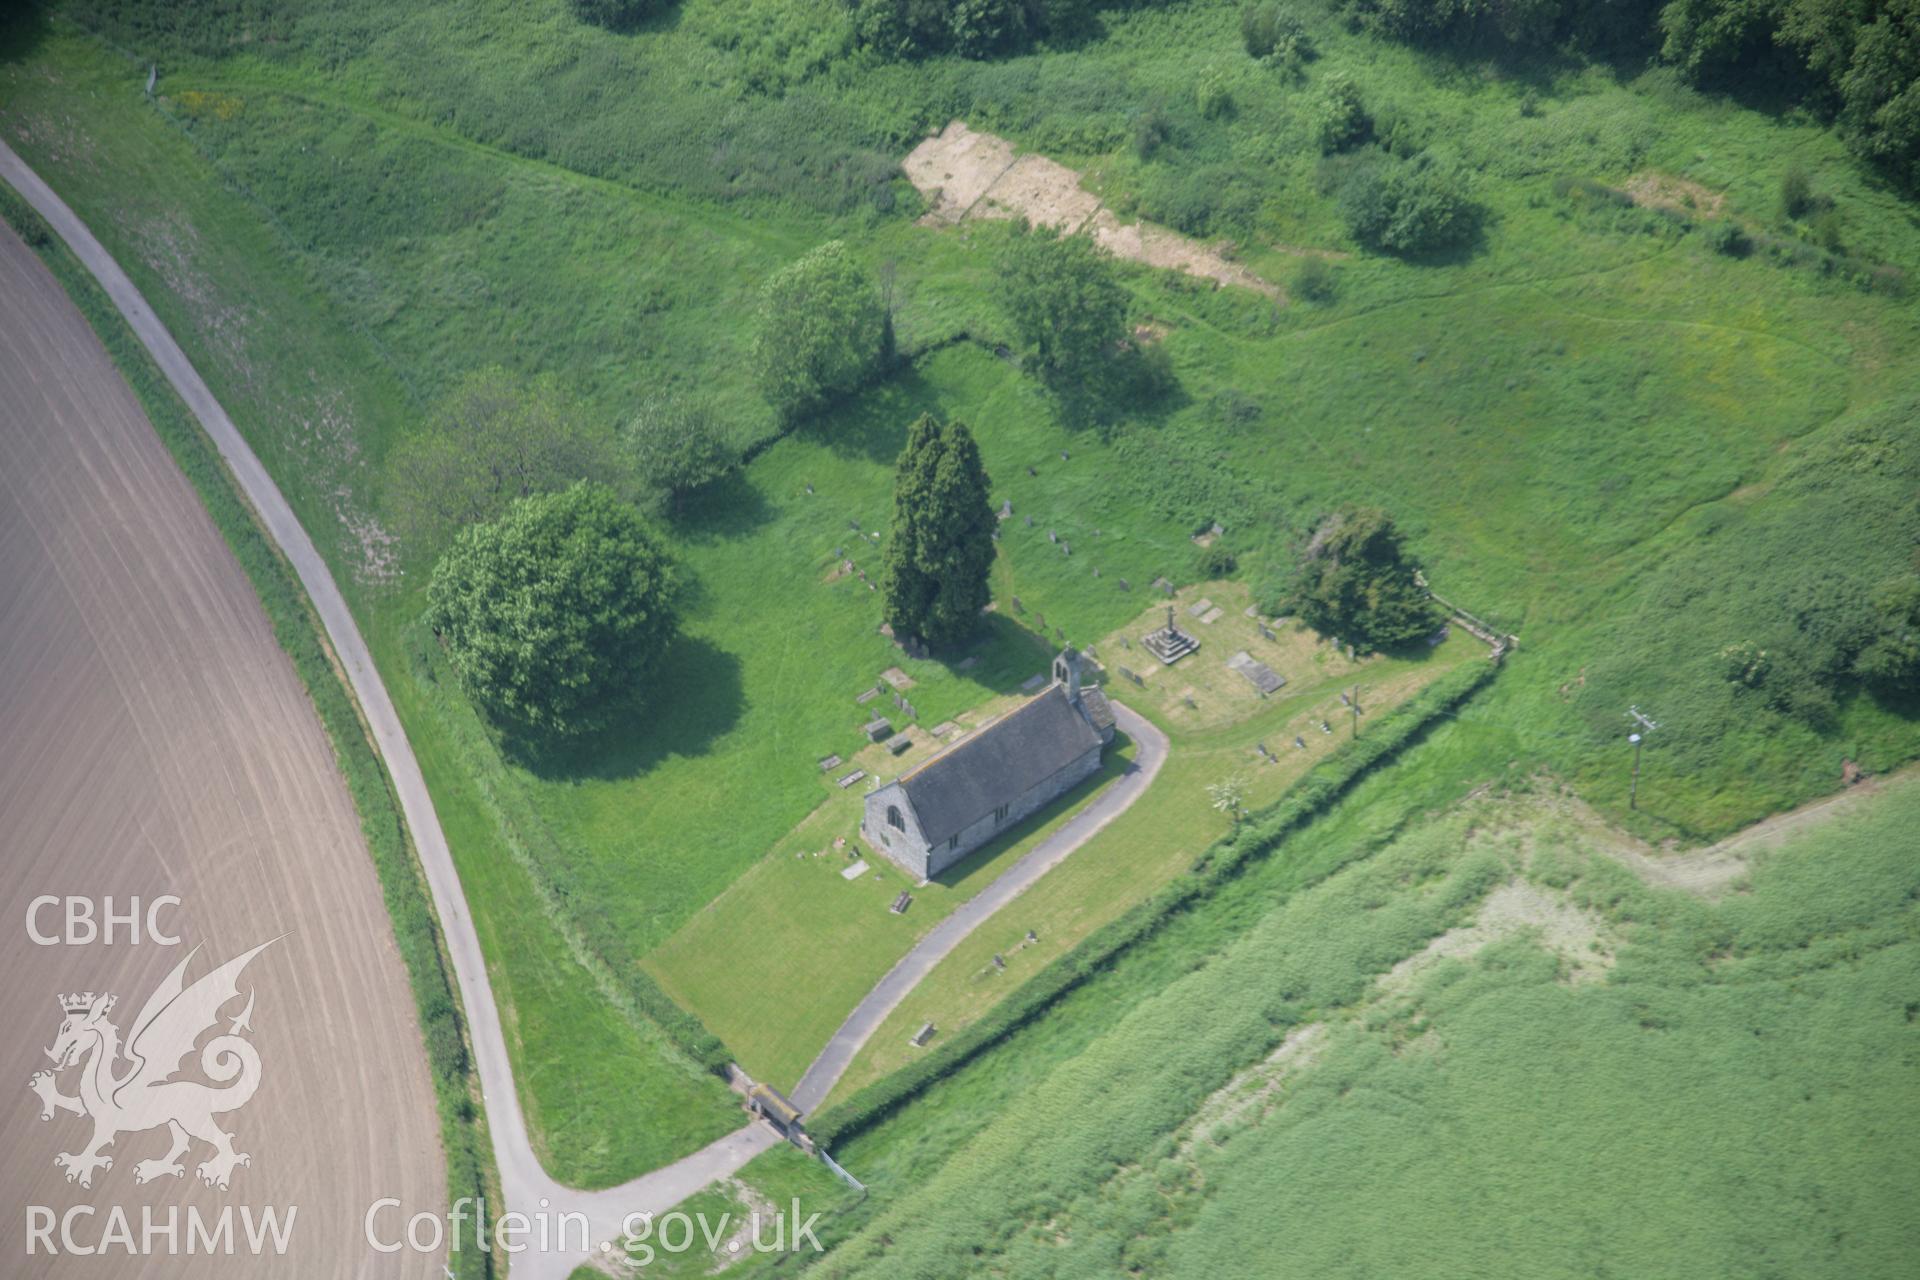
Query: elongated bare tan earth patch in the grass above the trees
[[978, 176]]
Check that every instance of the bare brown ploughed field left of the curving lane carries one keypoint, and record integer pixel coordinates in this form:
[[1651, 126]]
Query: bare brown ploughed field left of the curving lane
[[155, 740]]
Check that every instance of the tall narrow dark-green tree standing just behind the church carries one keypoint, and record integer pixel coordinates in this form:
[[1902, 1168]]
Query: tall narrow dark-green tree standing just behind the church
[[942, 544]]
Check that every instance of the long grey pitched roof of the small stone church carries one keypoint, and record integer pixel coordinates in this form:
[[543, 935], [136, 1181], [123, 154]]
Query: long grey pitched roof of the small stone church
[[999, 765]]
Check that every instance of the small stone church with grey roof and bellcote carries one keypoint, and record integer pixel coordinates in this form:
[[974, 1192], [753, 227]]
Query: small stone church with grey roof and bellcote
[[942, 811]]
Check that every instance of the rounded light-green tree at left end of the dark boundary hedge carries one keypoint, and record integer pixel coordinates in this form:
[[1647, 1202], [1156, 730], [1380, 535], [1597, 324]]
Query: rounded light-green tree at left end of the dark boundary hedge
[[823, 331]]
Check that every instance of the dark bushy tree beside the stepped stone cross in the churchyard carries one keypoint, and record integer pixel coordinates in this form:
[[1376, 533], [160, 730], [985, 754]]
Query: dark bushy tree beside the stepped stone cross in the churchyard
[[1355, 582]]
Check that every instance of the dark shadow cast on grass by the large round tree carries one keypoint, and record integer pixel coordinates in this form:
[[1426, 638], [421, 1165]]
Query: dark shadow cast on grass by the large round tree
[[698, 699]]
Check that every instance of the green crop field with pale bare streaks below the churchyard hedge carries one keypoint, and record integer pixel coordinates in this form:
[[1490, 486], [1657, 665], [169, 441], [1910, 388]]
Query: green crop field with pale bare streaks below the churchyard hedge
[[1654, 1085]]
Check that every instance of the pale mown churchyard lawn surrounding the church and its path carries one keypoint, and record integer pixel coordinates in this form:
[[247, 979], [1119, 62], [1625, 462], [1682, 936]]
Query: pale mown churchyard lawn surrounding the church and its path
[[804, 941]]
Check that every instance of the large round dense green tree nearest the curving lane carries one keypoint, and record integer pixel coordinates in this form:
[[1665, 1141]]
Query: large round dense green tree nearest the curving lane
[[556, 613]]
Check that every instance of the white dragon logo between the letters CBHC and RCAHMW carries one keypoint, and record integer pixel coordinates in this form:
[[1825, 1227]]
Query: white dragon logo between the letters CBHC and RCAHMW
[[145, 1095]]
